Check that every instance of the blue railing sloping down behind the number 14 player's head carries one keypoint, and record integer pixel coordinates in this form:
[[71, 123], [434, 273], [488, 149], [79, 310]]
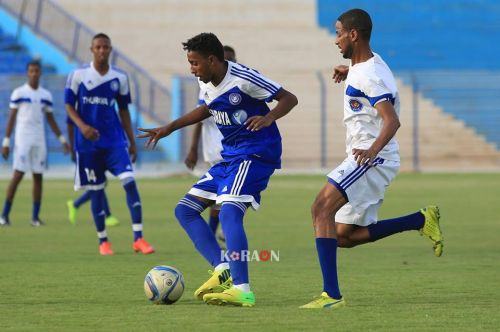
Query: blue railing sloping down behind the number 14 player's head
[[72, 37]]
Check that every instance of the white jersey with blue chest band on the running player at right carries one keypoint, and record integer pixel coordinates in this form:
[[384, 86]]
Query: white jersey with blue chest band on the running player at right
[[369, 83]]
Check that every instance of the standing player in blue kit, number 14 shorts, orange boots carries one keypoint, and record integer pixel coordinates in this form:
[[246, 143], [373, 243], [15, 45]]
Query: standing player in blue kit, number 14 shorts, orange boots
[[92, 95]]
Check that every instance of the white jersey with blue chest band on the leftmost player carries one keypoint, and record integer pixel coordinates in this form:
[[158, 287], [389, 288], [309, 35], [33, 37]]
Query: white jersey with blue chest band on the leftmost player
[[31, 107]]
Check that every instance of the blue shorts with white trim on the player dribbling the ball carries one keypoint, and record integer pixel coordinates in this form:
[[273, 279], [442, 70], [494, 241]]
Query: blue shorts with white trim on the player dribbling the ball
[[240, 180]]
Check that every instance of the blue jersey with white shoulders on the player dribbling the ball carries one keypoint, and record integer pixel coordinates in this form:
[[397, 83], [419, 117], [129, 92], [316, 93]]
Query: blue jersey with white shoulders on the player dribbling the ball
[[244, 93]]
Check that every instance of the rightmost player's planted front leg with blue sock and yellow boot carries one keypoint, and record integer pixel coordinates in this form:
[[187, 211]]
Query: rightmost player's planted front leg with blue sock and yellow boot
[[327, 203]]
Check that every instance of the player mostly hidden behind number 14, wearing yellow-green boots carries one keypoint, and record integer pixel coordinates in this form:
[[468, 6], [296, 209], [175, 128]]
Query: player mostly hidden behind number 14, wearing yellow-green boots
[[73, 206]]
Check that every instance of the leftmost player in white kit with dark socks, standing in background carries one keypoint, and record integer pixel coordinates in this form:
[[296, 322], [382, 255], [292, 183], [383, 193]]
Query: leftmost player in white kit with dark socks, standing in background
[[29, 104]]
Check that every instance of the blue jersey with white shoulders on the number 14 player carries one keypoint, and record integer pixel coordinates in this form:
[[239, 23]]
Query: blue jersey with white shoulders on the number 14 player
[[96, 98]]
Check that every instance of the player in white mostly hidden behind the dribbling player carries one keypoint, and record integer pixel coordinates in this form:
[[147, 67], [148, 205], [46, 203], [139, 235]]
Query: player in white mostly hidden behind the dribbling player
[[211, 145]]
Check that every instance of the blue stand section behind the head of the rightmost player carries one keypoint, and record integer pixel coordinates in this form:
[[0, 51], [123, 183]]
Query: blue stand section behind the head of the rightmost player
[[444, 53]]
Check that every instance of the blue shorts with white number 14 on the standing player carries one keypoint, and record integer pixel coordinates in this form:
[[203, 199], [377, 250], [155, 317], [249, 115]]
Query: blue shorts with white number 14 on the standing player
[[91, 167]]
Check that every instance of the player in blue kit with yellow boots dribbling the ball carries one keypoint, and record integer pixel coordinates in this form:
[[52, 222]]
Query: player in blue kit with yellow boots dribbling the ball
[[236, 97]]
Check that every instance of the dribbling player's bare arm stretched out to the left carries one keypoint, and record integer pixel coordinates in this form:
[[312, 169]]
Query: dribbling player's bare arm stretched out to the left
[[153, 135]]
